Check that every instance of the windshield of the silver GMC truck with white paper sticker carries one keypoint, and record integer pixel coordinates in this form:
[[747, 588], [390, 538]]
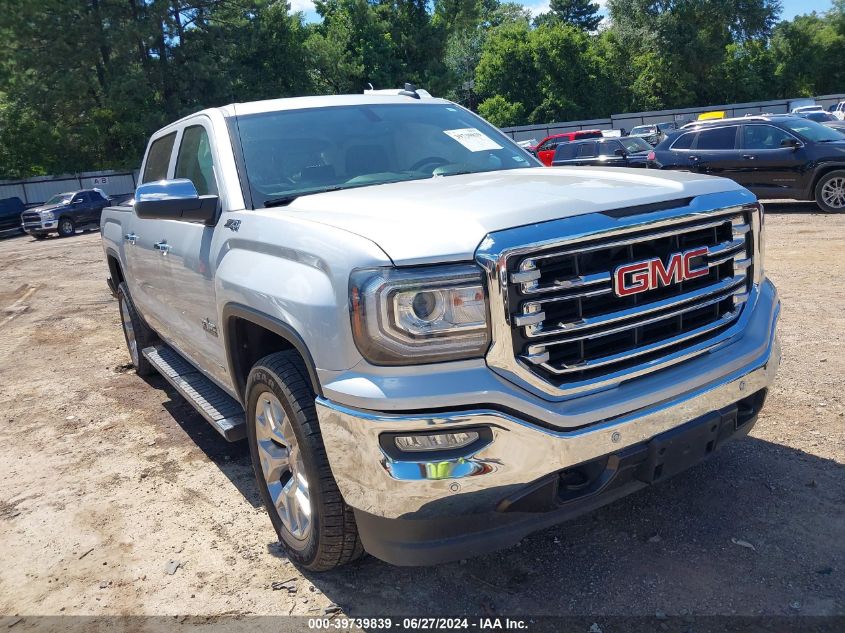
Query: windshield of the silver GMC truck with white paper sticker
[[295, 152]]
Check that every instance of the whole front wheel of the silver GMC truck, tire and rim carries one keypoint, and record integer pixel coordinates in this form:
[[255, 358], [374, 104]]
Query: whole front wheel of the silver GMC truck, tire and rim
[[315, 526]]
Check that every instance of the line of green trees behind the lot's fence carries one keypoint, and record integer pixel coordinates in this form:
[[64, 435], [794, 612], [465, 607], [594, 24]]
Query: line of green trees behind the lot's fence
[[84, 82]]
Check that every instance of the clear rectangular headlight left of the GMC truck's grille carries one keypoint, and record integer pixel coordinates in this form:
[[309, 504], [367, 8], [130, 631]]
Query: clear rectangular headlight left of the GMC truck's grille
[[419, 315]]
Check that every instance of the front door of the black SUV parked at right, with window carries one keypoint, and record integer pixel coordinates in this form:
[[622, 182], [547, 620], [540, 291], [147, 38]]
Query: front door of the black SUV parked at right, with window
[[770, 169]]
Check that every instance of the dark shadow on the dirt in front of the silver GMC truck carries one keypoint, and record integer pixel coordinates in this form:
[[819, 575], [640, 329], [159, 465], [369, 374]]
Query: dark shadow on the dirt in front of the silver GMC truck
[[683, 544]]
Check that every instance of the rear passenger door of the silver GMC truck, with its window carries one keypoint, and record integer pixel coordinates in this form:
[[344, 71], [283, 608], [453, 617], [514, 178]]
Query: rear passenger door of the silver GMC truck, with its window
[[145, 274]]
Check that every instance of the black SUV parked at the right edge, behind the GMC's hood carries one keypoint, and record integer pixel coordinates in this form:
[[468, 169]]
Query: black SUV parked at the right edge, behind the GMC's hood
[[775, 156]]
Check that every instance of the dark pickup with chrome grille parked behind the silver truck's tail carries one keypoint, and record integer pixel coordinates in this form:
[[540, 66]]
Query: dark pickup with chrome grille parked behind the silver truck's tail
[[66, 212]]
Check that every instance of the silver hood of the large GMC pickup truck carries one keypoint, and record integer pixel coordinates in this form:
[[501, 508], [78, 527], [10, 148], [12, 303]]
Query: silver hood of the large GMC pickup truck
[[445, 218]]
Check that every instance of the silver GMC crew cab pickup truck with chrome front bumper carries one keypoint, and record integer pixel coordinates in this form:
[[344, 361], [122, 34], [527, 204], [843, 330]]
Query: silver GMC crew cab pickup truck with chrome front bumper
[[433, 345]]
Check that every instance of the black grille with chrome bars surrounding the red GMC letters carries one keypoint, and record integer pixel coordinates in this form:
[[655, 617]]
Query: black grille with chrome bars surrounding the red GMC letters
[[568, 324]]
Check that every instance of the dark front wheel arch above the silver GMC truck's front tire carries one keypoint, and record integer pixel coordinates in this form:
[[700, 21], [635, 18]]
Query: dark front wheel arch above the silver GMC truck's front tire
[[250, 335]]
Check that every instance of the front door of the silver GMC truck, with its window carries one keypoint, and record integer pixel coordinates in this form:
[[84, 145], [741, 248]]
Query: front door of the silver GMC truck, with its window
[[189, 258]]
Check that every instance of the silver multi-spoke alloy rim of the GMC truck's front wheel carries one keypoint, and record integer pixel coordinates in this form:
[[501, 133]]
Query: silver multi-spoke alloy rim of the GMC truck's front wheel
[[282, 466]]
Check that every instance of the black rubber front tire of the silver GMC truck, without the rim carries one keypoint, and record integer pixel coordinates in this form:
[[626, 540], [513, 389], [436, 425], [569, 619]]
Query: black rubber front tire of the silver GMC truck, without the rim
[[332, 539]]
